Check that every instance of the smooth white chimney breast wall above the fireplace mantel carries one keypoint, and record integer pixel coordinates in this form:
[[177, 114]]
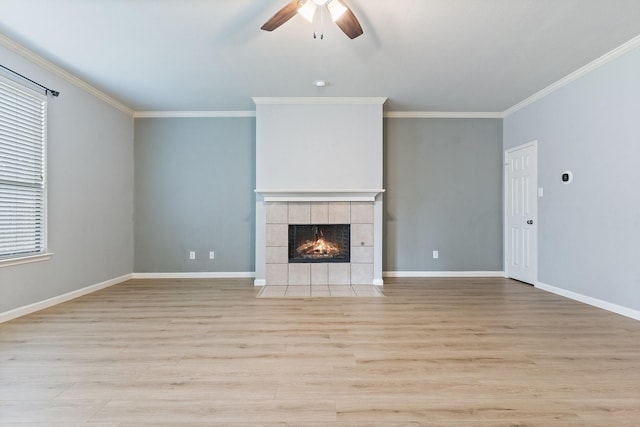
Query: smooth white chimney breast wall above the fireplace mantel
[[318, 143]]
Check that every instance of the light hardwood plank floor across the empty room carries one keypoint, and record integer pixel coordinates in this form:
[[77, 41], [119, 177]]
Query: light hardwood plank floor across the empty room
[[433, 352]]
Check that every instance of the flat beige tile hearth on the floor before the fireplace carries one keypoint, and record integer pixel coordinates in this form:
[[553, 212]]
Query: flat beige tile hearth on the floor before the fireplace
[[319, 291]]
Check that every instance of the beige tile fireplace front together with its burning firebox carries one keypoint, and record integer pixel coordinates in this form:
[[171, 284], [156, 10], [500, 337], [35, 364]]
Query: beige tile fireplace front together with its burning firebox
[[348, 225]]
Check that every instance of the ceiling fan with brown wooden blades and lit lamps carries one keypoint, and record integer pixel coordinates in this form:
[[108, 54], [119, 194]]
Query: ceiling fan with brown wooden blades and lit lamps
[[340, 13]]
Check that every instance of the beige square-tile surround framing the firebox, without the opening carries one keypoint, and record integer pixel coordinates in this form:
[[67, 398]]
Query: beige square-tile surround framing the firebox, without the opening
[[360, 215]]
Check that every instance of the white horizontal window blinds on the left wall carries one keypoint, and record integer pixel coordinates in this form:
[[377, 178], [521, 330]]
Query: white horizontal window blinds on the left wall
[[22, 171]]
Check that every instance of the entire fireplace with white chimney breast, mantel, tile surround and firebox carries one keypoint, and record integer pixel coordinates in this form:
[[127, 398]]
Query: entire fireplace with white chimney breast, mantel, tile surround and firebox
[[293, 135]]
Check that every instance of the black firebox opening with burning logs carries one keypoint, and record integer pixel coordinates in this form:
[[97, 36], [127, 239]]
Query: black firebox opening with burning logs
[[319, 243]]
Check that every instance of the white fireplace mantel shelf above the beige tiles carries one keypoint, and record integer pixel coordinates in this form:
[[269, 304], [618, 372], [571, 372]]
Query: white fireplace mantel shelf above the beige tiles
[[320, 195]]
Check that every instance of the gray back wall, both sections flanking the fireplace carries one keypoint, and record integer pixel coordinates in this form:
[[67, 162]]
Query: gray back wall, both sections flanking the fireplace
[[195, 177]]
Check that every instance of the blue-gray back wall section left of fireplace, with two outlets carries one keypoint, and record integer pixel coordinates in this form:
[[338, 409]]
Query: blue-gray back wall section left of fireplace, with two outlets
[[194, 182]]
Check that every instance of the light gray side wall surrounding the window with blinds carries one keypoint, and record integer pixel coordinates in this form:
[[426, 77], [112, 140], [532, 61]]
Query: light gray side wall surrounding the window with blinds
[[90, 194]]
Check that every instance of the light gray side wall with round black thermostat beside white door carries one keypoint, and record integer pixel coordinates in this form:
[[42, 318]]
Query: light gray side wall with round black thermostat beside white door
[[589, 231]]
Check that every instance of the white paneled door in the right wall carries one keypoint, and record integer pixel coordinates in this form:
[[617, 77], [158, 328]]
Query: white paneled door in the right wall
[[521, 212]]
